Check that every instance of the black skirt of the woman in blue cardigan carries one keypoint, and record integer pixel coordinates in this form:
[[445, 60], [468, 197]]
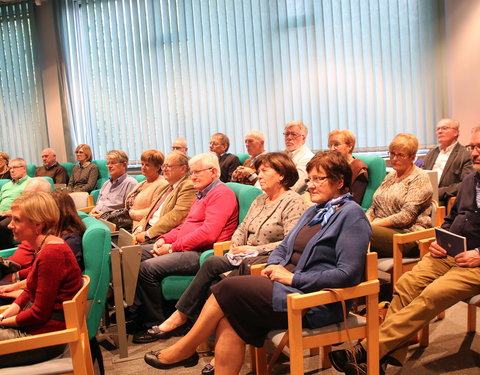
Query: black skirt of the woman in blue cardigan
[[246, 302]]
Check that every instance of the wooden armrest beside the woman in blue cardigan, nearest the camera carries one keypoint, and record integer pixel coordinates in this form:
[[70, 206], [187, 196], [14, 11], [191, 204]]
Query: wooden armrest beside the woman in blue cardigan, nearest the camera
[[304, 301]]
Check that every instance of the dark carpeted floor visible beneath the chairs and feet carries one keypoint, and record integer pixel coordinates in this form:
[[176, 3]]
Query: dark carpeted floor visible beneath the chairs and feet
[[451, 351]]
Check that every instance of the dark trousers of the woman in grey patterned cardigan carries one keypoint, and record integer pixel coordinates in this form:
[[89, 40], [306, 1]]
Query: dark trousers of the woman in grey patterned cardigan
[[192, 300]]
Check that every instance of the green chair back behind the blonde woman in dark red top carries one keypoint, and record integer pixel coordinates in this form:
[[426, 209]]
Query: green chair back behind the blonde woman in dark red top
[[96, 244]]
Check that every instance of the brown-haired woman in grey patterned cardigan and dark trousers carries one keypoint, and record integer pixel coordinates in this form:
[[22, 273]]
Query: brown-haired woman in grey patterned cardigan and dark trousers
[[271, 216]]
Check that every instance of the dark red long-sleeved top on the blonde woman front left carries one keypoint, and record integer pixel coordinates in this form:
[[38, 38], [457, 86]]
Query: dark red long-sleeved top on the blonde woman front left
[[54, 278]]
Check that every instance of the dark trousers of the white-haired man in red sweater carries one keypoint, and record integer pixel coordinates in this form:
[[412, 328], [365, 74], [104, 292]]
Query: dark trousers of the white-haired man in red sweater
[[149, 305]]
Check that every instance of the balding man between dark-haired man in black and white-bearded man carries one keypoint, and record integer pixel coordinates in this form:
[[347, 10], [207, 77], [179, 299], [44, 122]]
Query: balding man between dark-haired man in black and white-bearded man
[[246, 173]]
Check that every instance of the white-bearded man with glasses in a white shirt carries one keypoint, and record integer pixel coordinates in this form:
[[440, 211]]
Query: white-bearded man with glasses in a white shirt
[[295, 133]]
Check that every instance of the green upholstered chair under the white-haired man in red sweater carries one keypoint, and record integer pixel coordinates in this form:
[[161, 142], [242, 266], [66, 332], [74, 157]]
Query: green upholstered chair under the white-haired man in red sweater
[[174, 286]]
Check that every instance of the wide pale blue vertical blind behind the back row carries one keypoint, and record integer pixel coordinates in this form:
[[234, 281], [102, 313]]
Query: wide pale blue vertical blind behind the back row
[[140, 73]]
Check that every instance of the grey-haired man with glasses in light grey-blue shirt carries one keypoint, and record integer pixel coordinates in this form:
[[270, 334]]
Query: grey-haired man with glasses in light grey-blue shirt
[[114, 192]]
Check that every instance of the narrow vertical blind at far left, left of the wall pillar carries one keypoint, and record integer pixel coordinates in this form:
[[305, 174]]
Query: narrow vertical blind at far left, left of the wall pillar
[[22, 115]]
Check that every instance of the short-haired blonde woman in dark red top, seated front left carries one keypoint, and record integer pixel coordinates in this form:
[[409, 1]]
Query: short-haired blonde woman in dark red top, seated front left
[[55, 277]]
